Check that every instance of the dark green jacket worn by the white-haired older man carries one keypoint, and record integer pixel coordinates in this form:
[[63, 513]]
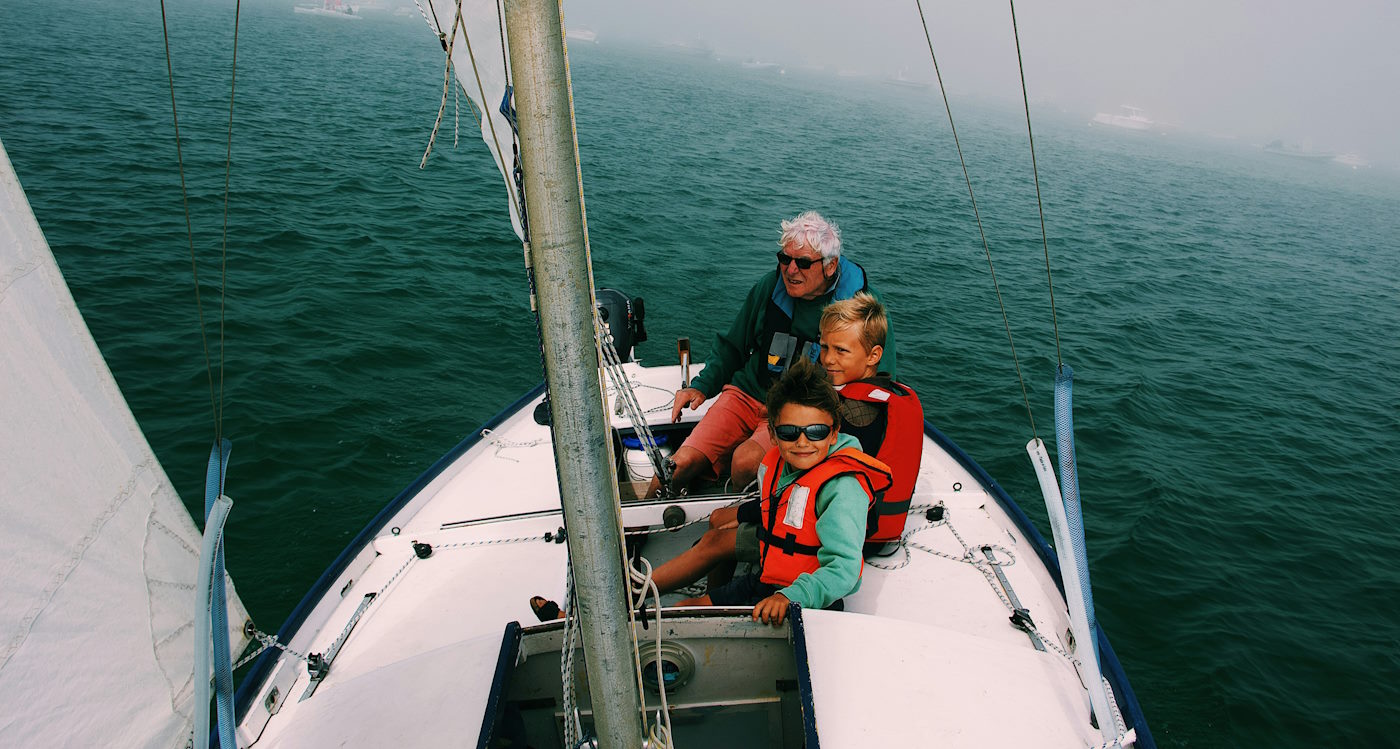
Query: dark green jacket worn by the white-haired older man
[[737, 359]]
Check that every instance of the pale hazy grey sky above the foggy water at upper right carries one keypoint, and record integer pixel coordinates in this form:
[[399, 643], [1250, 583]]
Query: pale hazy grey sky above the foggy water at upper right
[[1322, 76]]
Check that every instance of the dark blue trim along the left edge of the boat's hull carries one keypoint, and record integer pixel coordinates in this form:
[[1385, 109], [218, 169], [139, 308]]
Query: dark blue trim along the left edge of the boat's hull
[[262, 667]]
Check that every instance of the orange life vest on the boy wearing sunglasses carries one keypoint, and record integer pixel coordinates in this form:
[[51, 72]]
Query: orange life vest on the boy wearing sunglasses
[[787, 527]]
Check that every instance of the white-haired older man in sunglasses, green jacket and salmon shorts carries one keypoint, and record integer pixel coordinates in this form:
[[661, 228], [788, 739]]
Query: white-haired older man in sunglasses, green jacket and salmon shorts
[[778, 324]]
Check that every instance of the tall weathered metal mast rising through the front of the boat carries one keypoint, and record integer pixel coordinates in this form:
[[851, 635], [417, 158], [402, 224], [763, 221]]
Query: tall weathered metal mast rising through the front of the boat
[[563, 285]]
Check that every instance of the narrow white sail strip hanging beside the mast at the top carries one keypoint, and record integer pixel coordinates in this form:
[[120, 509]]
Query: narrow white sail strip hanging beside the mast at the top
[[479, 37]]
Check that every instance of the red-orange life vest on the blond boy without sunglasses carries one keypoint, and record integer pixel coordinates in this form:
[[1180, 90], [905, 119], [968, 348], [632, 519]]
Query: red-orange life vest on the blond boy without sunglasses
[[902, 451]]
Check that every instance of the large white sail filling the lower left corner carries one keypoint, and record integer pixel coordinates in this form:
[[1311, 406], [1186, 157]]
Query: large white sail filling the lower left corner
[[99, 556]]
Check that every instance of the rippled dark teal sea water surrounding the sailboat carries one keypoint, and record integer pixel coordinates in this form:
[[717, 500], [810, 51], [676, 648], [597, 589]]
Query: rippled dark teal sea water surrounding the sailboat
[[1231, 316]]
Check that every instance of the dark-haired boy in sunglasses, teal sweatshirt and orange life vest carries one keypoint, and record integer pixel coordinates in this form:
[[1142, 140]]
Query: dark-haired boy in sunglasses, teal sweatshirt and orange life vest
[[817, 489]]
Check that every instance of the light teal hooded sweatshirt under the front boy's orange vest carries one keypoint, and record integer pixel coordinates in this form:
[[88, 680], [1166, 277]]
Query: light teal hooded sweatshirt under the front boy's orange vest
[[841, 526]]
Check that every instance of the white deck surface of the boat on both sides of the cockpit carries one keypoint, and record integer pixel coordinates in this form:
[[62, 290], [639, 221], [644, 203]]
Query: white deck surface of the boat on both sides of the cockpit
[[923, 656]]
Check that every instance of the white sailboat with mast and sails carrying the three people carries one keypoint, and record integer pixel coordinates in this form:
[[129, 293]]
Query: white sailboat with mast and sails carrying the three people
[[962, 636]]
